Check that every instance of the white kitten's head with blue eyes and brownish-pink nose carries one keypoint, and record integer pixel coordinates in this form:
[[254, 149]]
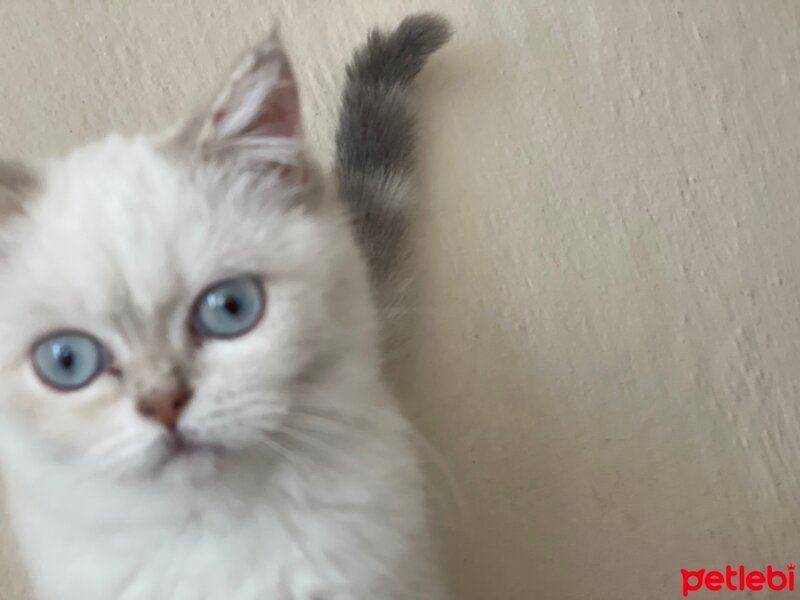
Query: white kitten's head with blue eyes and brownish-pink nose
[[188, 291]]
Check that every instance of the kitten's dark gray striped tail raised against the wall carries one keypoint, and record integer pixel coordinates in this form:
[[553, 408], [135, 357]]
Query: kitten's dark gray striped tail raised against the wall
[[375, 137]]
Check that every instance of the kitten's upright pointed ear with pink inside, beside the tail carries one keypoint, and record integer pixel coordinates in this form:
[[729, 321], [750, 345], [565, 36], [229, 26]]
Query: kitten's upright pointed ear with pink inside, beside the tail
[[255, 119]]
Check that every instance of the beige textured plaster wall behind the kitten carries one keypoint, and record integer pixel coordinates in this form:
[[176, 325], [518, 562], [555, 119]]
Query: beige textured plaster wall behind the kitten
[[607, 323]]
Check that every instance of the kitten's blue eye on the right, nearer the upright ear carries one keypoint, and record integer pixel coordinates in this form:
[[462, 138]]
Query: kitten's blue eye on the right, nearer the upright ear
[[229, 308]]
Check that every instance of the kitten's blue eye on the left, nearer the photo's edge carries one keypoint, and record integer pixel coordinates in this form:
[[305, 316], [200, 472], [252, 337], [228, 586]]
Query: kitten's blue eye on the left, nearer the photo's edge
[[68, 361]]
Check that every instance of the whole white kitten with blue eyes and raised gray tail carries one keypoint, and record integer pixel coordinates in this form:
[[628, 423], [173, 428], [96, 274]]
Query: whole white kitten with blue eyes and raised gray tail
[[191, 400]]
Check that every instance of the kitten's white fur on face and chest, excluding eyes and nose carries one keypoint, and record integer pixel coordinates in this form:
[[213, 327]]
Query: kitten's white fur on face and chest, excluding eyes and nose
[[312, 489]]
